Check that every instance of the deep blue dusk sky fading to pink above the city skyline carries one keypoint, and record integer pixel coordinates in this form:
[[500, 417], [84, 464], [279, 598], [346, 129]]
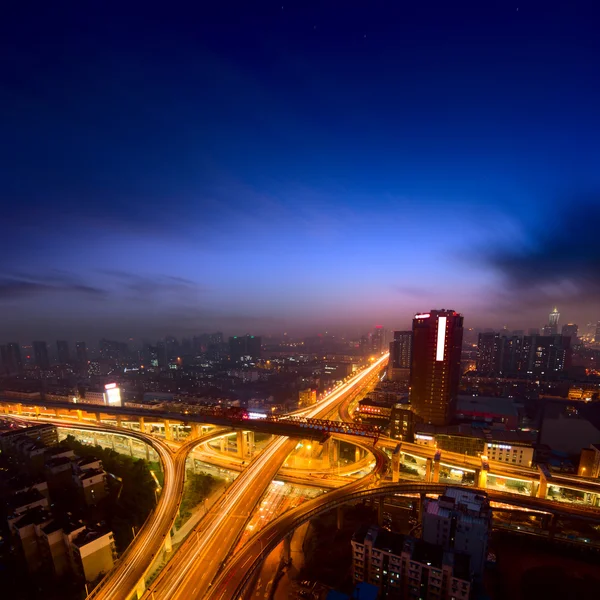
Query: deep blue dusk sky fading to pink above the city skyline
[[296, 166]]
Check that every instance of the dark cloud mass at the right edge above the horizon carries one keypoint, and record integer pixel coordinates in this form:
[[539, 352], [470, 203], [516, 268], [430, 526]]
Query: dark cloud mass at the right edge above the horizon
[[559, 257]]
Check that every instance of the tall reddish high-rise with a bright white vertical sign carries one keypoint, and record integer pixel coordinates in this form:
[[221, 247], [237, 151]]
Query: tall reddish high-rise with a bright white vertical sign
[[435, 366]]
